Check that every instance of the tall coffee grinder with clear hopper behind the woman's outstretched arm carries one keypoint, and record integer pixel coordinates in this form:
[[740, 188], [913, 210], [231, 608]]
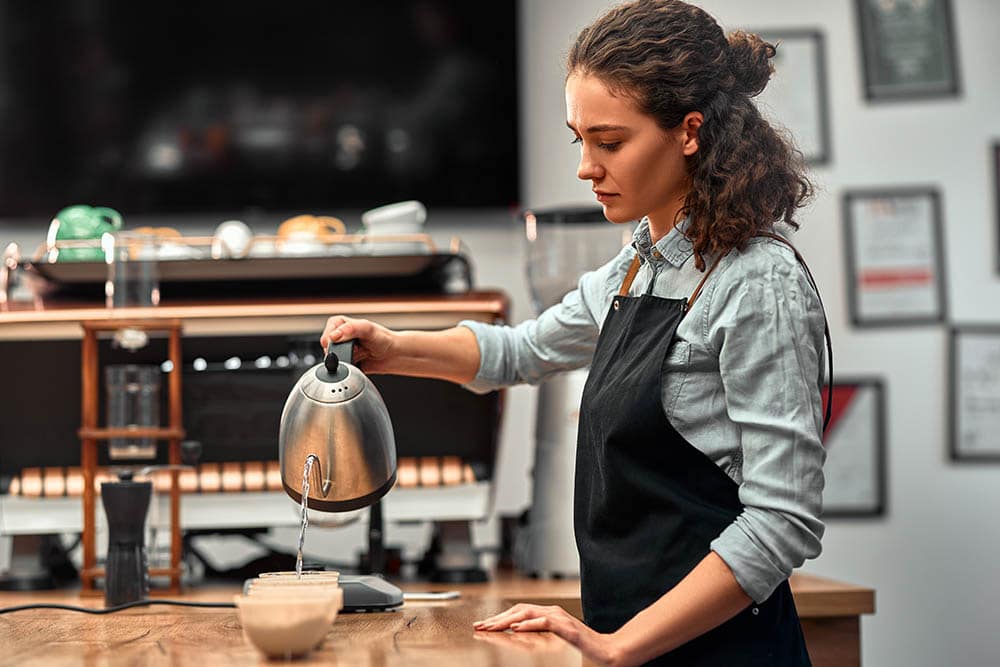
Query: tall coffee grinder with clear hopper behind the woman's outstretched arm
[[563, 244]]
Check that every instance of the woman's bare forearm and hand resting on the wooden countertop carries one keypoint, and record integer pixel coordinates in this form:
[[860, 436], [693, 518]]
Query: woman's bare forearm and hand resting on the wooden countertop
[[707, 597]]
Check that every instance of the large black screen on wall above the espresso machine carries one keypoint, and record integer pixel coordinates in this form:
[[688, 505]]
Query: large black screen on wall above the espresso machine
[[178, 106]]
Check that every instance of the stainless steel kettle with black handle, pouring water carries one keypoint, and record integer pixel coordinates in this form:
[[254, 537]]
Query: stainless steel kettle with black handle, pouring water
[[335, 413]]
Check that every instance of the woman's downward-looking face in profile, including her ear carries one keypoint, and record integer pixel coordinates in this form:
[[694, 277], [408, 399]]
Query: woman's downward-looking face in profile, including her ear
[[635, 167]]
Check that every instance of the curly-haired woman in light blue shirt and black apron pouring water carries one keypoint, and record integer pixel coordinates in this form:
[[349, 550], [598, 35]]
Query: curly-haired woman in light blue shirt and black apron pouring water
[[699, 462]]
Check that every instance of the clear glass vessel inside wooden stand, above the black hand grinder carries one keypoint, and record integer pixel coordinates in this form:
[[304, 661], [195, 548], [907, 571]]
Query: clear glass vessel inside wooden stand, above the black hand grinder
[[133, 397]]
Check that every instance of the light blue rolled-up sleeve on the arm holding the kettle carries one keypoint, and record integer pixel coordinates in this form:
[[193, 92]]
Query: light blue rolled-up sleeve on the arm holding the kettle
[[562, 338]]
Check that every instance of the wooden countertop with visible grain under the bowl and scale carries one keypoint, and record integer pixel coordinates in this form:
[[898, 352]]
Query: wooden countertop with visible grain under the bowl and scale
[[420, 633]]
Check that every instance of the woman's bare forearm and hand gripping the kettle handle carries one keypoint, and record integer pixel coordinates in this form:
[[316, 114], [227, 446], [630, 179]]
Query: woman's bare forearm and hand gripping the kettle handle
[[451, 354]]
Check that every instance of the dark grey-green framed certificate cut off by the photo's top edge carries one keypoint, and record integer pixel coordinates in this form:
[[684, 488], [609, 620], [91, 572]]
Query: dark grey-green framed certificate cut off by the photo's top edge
[[908, 49]]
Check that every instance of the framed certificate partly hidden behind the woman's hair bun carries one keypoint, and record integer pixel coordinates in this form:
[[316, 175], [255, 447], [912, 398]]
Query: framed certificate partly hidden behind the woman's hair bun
[[796, 96]]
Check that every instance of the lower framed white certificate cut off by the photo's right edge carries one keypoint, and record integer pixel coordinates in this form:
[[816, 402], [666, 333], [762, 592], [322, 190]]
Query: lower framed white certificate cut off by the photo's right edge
[[974, 357]]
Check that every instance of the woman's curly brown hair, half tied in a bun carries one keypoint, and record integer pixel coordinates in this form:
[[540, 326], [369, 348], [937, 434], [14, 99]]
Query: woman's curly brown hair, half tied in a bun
[[672, 58]]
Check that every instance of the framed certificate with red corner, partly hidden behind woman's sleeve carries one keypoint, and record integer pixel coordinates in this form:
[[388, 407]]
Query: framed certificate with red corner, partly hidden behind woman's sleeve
[[855, 468]]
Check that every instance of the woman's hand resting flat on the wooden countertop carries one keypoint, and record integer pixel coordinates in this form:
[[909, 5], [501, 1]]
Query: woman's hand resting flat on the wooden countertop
[[598, 647]]
